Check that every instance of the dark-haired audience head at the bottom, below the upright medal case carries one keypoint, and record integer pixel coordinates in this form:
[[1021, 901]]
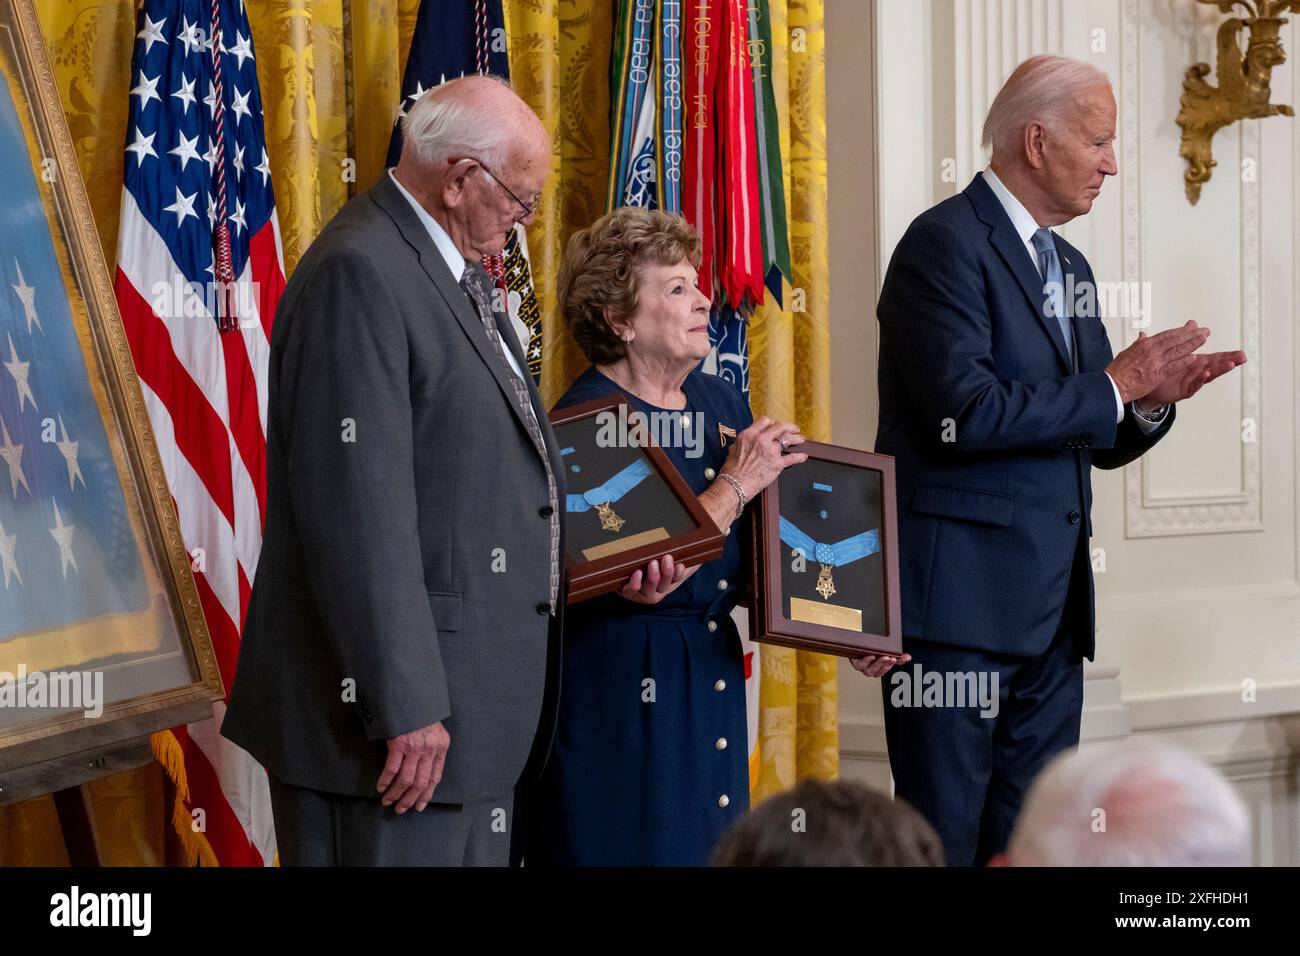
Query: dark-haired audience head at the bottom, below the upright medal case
[[831, 824]]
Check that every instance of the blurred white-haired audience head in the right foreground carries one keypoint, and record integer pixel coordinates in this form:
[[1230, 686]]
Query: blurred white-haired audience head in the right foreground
[[1132, 803]]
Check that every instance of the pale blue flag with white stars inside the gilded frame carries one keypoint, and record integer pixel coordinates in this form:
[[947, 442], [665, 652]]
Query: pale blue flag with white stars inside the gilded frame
[[67, 548]]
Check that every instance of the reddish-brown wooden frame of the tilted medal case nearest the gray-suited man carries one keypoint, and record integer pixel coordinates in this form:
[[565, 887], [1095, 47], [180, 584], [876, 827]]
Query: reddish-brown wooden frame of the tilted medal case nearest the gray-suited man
[[703, 543]]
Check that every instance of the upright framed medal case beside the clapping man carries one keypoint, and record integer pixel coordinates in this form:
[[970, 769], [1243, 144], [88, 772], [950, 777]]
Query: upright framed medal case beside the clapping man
[[826, 556]]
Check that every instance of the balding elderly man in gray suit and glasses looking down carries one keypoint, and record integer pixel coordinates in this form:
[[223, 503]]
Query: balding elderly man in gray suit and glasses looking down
[[397, 647]]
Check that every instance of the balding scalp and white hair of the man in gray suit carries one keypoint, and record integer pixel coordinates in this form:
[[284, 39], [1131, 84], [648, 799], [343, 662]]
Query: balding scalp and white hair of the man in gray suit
[[476, 116]]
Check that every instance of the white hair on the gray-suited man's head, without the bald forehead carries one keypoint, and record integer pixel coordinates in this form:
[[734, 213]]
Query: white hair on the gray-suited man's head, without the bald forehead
[[443, 126]]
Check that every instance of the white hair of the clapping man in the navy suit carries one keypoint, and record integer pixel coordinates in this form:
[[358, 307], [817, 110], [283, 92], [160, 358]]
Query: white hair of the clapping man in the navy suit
[[1043, 89]]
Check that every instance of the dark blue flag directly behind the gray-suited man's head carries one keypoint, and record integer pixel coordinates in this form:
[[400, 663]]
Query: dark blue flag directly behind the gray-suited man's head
[[456, 38]]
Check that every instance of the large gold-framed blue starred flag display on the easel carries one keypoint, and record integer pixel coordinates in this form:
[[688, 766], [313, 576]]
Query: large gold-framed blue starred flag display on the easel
[[144, 630]]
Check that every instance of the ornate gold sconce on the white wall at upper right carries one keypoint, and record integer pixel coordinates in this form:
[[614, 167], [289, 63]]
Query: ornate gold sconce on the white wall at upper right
[[1243, 84]]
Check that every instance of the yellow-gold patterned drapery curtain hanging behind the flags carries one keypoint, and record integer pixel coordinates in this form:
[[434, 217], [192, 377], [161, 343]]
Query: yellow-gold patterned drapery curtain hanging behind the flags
[[331, 73]]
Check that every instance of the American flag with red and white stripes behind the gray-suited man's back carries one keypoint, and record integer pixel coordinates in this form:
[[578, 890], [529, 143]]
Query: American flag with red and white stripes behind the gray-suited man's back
[[200, 250]]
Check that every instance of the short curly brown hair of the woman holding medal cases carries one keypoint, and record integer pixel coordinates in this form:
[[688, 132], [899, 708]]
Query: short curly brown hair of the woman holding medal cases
[[601, 270]]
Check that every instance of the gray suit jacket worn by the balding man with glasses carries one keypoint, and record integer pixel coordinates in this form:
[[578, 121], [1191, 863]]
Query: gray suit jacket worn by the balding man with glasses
[[406, 559]]
